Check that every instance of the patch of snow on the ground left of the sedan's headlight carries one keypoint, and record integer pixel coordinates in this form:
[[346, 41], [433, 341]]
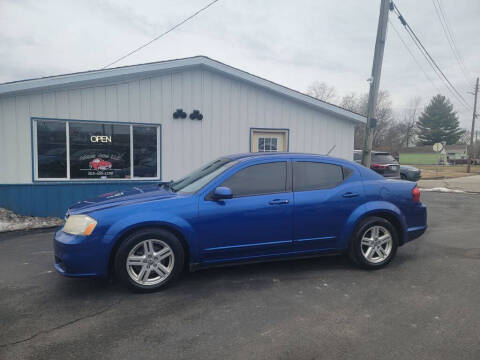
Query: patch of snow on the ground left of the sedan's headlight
[[10, 221]]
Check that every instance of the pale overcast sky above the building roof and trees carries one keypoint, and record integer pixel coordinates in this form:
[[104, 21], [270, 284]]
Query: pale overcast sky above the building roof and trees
[[292, 43]]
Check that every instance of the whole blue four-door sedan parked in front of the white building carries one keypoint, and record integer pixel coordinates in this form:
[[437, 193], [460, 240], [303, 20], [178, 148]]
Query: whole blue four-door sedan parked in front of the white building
[[240, 208]]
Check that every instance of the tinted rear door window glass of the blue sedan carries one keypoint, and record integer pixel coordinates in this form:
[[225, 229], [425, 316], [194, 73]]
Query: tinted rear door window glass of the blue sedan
[[309, 175]]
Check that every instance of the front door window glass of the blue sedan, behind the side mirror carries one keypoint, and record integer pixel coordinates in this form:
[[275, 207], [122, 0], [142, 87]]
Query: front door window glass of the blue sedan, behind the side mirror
[[268, 178]]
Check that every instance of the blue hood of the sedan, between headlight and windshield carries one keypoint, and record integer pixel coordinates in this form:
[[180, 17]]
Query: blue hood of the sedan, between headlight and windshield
[[120, 198]]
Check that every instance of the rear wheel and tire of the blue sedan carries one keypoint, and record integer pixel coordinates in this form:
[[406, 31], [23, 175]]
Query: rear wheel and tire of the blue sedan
[[370, 234]]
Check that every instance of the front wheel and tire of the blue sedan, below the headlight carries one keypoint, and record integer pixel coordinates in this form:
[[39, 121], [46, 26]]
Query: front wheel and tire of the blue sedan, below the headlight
[[149, 259]]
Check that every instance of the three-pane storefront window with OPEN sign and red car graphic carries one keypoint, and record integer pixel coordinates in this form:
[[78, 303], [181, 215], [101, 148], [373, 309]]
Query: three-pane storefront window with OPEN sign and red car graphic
[[96, 150]]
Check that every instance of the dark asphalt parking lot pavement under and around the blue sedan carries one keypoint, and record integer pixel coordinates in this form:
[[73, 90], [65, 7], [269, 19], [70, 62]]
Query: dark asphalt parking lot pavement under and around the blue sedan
[[425, 305]]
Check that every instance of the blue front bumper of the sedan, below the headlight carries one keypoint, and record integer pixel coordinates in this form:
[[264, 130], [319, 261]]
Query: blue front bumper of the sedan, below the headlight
[[79, 256]]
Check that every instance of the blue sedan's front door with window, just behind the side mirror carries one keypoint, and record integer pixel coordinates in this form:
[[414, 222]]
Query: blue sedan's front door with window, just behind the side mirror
[[258, 219]]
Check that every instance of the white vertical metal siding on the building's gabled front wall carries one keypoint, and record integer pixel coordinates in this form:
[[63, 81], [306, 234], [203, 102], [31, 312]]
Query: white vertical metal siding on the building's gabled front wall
[[230, 108]]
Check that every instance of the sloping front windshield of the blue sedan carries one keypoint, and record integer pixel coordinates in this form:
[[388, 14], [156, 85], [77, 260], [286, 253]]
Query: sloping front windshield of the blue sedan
[[200, 177]]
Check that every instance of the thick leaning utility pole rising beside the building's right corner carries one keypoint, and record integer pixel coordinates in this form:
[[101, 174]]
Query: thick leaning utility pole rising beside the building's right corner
[[375, 81]]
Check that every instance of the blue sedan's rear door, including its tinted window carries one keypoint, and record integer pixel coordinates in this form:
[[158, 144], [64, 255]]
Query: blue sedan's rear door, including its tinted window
[[325, 195]]
